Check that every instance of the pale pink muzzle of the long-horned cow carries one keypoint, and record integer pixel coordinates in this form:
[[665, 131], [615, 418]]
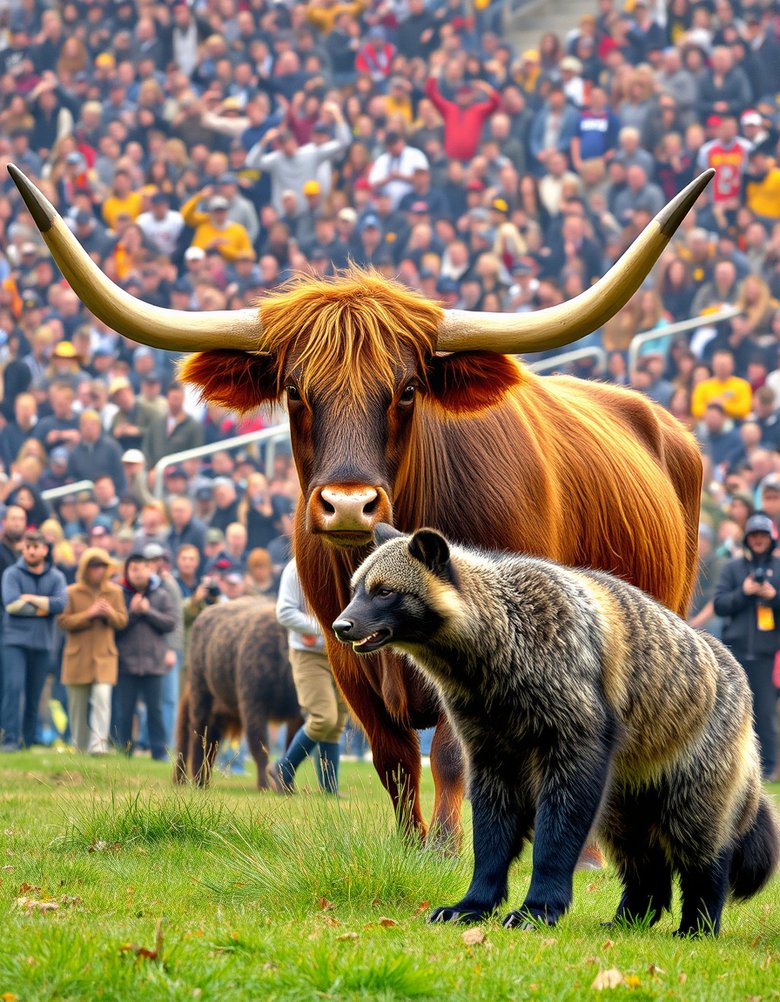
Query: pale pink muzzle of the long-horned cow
[[347, 514]]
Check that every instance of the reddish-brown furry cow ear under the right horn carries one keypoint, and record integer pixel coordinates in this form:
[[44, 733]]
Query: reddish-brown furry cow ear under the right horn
[[471, 381]]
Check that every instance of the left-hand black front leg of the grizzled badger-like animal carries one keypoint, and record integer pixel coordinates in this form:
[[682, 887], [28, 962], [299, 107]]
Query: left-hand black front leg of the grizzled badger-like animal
[[502, 822]]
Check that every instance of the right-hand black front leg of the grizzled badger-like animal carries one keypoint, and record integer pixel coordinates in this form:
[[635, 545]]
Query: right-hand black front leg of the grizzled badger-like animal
[[569, 802]]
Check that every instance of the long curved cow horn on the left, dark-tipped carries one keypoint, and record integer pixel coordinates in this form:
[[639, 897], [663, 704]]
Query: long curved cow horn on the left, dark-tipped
[[173, 330]]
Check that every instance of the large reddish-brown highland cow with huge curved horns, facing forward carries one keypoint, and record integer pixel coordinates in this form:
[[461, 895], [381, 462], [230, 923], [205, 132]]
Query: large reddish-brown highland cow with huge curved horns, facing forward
[[402, 411]]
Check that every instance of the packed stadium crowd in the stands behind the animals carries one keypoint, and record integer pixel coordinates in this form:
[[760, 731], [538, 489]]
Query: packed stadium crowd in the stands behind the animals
[[205, 152]]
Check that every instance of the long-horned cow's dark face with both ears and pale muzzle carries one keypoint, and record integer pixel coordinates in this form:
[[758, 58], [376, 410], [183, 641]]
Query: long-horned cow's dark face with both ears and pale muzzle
[[357, 419]]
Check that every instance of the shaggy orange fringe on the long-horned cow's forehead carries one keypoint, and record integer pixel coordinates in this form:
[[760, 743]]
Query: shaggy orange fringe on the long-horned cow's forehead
[[348, 335]]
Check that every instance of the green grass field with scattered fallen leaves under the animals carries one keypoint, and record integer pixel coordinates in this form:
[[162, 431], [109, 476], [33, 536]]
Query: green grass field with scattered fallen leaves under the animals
[[301, 898]]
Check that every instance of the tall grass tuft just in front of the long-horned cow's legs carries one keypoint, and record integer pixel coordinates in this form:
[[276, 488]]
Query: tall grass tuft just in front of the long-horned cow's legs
[[346, 856]]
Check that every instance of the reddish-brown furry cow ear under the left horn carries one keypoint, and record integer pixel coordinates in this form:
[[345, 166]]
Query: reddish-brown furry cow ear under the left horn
[[236, 381]]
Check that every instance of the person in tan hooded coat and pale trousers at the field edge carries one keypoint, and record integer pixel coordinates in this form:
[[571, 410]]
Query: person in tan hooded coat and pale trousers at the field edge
[[95, 612]]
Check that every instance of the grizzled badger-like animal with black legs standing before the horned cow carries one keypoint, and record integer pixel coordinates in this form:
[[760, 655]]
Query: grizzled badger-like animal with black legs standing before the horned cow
[[581, 703]]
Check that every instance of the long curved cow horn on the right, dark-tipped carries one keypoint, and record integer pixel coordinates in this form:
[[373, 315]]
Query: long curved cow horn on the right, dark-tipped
[[512, 334]]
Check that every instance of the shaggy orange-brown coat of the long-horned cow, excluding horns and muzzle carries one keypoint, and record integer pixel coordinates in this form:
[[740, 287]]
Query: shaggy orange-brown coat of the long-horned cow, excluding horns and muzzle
[[491, 454]]
